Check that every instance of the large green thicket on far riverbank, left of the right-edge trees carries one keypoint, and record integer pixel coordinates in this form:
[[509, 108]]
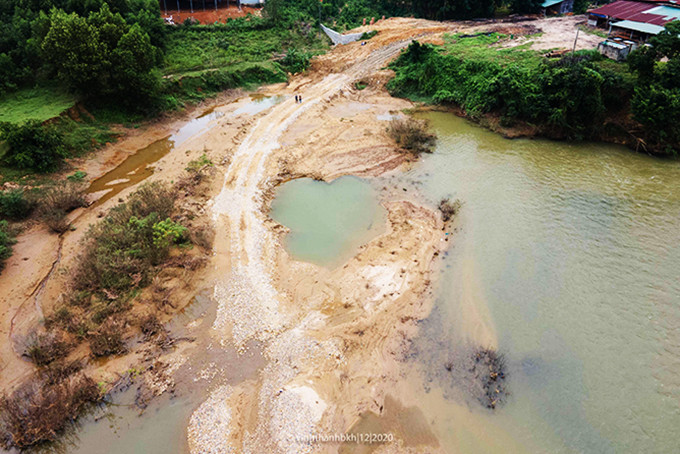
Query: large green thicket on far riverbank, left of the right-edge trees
[[568, 98]]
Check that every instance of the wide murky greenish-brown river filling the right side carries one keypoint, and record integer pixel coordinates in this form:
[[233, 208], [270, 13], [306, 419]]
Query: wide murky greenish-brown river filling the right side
[[567, 259]]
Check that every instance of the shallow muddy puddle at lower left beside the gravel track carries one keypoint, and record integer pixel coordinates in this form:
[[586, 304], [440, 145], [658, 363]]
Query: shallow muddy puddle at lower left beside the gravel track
[[120, 428]]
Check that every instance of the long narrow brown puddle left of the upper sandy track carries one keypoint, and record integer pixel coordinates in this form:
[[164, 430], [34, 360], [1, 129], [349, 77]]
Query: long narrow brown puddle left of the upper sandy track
[[138, 166]]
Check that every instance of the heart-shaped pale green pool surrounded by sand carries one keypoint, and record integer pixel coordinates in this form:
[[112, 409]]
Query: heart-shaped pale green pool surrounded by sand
[[328, 222]]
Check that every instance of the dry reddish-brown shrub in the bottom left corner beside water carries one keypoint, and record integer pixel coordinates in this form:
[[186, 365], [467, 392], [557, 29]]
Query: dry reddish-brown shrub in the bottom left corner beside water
[[39, 409]]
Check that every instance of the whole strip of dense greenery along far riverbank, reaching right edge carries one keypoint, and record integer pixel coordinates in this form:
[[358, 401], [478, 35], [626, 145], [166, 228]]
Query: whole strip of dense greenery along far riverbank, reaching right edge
[[577, 96]]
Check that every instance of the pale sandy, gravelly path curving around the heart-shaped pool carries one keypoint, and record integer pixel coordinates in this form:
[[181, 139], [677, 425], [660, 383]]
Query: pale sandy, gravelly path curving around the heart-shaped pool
[[316, 325]]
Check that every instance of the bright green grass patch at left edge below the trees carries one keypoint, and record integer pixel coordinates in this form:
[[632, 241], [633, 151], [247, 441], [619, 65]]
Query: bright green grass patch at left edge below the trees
[[40, 103]]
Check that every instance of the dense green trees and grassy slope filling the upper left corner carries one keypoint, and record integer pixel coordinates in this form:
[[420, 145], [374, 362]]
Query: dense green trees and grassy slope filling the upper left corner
[[120, 60]]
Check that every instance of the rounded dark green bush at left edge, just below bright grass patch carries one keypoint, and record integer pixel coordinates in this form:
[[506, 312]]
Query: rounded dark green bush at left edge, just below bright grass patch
[[34, 146]]
